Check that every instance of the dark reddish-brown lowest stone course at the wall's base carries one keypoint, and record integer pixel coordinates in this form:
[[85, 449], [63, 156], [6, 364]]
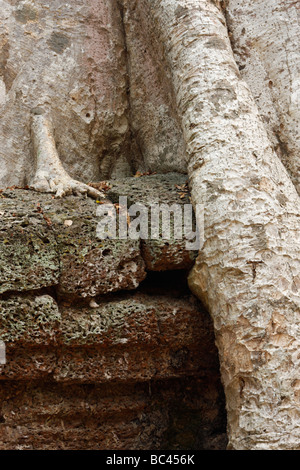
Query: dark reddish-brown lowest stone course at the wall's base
[[50, 416]]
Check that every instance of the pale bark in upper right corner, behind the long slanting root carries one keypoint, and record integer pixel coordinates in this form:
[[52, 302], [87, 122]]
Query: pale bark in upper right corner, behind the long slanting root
[[265, 35]]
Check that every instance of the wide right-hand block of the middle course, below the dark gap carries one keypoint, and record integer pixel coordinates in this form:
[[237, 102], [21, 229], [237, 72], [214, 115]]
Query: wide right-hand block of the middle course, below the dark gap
[[138, 338]]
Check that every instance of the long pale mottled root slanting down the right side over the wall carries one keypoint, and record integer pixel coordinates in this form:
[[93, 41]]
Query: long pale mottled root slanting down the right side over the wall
[[248, 270]]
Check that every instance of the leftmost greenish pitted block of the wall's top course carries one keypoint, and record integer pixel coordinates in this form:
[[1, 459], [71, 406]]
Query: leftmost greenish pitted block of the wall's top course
[[28, 248]]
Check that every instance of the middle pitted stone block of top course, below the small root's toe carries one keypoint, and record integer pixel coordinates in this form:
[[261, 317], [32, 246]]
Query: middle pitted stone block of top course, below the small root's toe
[[90, 266]]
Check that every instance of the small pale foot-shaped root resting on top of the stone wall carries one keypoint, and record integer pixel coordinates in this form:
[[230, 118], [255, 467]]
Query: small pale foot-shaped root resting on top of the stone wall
[[50, 175]]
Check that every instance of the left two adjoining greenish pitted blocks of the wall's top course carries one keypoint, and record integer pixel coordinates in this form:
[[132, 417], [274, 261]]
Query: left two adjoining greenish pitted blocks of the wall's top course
[[46, 242]]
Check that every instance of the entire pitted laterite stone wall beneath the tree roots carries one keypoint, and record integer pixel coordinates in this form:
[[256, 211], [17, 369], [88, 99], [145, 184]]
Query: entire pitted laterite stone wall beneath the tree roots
[[106, 348]]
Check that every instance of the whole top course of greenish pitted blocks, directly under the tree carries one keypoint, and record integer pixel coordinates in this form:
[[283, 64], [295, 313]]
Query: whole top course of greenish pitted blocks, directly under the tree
[[49, 242]]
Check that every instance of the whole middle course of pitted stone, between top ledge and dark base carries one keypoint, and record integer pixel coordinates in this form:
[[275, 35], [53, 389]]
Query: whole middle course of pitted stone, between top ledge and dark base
[[138, 337]]
